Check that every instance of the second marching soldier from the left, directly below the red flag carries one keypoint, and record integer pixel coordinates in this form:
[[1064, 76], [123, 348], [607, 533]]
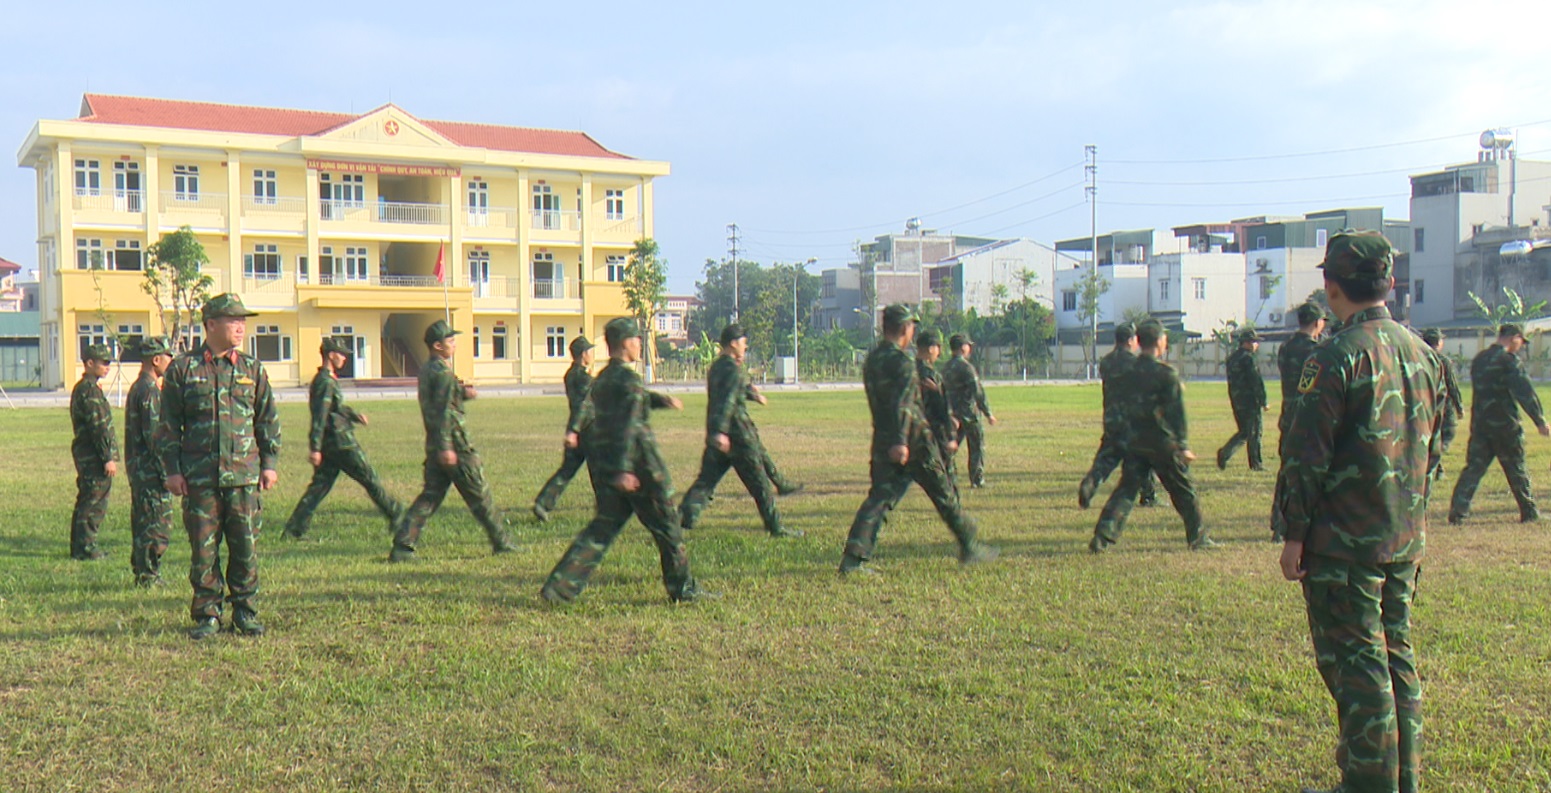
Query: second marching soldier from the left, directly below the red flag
[[451, 459]]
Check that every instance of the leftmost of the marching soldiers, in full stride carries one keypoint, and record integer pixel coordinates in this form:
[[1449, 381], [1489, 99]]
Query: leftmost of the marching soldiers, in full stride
[[333, 448]]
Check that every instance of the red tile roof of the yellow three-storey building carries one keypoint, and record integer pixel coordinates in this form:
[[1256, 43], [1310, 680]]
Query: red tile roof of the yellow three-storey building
[[212, 117]]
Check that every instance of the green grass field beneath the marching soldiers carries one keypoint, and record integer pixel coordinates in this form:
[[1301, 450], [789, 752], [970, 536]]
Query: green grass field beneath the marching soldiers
[[1147, 670]]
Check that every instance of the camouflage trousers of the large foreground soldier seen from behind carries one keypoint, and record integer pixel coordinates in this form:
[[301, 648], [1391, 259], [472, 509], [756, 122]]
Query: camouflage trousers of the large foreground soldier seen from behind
[[1361, 625]]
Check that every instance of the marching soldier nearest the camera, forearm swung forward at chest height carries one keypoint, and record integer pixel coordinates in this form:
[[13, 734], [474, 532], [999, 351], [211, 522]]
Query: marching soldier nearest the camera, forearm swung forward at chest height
[[629, 476]]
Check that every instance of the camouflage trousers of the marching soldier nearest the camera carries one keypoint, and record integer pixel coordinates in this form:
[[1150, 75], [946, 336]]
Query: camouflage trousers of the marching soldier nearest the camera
[[615, 507]]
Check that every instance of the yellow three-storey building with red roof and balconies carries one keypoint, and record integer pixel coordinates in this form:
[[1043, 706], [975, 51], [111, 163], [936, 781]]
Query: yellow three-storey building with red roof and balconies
[[333, 224]]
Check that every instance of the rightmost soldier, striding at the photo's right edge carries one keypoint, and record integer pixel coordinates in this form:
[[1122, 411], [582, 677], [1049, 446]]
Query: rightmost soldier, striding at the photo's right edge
[[1499, 386]]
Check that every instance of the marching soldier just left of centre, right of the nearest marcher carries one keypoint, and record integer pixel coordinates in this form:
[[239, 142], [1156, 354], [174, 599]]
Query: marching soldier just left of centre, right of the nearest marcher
[[731, 440]]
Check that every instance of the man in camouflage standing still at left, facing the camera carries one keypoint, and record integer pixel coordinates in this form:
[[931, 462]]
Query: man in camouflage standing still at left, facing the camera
[[221, 443]]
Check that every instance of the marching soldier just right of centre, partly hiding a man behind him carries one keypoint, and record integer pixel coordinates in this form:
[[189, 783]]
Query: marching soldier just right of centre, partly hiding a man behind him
[[903, 449]]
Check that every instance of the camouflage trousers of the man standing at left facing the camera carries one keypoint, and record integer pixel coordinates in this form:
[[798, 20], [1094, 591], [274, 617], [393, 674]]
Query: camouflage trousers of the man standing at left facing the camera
[[233, 516]]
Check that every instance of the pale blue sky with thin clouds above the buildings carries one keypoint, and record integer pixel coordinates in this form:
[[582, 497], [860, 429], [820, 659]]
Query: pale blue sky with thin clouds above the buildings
[[813, 125]]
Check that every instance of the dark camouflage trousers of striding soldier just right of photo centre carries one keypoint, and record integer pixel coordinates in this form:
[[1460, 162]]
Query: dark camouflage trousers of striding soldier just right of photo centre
[[889, 485]]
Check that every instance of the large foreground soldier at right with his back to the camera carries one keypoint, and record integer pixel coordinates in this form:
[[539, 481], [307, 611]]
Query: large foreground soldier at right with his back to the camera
[[1355, 460]]
